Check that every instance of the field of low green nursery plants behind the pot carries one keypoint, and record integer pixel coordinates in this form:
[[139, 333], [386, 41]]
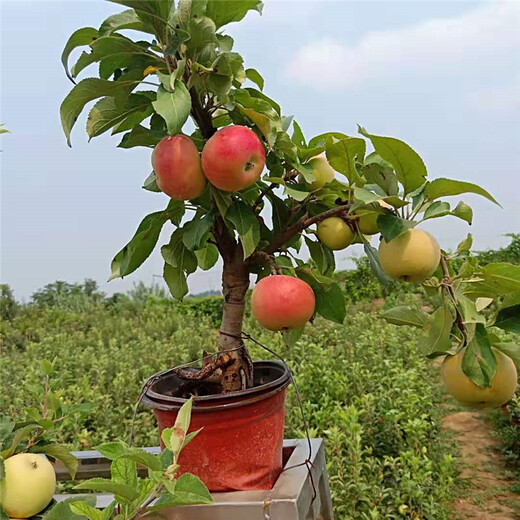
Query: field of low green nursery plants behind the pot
[[367, 391]]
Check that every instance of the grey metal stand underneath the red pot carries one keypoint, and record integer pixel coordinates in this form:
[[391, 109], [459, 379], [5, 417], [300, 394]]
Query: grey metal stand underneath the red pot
[[290, 499]]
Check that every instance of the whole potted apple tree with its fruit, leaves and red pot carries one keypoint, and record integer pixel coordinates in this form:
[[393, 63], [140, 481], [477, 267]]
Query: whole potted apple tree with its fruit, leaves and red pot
[[245, 185]]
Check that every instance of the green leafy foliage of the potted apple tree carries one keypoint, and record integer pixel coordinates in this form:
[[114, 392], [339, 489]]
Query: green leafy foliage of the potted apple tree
[[189, 60]]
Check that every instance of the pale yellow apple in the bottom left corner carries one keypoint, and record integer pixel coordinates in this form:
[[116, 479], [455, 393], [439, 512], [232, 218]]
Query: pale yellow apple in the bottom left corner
[[28, 485]]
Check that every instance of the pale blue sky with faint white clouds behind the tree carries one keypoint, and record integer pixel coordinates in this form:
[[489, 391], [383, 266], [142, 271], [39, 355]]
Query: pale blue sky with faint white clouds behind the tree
[[444, 76]]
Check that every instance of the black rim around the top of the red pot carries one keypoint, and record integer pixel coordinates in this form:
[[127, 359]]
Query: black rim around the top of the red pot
[[159, 401]]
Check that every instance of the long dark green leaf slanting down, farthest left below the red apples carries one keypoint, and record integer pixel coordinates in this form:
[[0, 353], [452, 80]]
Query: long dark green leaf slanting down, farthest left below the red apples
[[140, 246]]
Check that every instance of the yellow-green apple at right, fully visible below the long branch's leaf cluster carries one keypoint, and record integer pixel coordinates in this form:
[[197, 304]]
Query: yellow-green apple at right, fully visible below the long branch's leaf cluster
[[410, 257]]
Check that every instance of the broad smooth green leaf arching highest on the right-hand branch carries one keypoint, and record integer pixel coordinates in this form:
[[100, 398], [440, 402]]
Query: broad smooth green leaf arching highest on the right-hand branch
[[408, 165]]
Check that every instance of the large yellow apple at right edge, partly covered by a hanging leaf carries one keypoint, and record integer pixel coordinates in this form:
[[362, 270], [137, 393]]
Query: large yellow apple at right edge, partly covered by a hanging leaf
[[460, 386]]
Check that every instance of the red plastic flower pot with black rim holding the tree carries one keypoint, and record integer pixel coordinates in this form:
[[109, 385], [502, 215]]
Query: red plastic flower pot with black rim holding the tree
[[240, 446]]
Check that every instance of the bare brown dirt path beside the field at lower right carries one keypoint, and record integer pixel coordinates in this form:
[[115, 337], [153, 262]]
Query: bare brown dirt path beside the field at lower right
[[488, 496]]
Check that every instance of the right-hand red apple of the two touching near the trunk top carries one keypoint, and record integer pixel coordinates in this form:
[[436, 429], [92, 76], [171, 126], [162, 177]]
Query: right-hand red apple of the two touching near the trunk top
[[233, 158]]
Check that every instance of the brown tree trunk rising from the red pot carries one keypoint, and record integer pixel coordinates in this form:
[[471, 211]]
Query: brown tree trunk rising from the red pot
[[235, 283]]
